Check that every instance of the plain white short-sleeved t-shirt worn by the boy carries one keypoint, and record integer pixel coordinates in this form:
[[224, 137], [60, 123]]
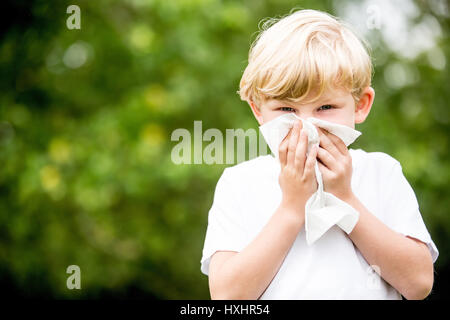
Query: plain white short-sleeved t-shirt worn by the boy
[[248, 193]]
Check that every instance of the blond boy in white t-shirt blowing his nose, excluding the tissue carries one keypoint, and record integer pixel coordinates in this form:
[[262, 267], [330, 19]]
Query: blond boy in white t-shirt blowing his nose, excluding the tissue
[[311, 64]]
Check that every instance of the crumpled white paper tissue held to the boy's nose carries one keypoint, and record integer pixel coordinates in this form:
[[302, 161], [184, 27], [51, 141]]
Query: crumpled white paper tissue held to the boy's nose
[[322, 210]]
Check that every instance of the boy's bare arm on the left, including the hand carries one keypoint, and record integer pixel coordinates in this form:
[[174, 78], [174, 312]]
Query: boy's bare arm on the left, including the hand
[[246, 275]]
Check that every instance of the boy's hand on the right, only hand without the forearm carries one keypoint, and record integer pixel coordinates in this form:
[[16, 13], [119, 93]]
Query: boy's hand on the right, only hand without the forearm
[[335, 165]]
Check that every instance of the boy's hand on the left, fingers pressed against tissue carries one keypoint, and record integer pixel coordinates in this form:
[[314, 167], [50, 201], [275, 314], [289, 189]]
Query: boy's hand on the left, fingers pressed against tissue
[[297, 176]]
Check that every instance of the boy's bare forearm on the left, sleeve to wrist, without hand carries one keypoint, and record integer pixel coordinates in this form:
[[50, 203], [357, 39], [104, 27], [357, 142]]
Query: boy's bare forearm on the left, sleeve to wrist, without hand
[[246, 275]]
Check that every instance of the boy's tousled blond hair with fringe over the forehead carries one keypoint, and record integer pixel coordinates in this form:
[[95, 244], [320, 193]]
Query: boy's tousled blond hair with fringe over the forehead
[[301, 55]]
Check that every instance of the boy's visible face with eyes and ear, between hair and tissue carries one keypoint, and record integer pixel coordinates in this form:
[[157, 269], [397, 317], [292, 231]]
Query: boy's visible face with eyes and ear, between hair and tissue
[[337, 106]]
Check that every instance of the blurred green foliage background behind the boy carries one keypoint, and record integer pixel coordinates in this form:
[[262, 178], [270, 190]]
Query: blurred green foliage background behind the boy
[[86, 116]]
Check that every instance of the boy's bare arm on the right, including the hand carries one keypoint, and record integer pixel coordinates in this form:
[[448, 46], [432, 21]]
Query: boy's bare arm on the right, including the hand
[[405, 263]]
